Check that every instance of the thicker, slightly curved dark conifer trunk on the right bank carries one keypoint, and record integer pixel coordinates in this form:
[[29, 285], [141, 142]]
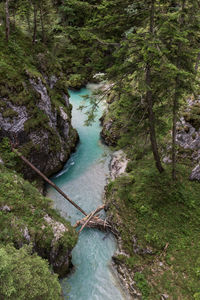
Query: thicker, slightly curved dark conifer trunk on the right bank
[[149, 101]]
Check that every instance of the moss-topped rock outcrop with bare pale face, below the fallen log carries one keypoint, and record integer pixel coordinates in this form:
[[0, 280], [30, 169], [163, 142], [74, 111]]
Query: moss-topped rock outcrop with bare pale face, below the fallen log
[[32, 221]]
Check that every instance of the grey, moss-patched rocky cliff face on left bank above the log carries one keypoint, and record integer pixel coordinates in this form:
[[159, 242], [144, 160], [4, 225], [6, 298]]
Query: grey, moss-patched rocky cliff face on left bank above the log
[[38, 121]]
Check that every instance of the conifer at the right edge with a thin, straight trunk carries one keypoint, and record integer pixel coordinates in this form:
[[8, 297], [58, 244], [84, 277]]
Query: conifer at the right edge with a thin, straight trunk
[[179, 35]]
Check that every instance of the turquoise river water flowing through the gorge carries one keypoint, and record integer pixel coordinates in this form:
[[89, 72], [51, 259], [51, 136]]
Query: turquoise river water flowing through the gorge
[[83, 179]]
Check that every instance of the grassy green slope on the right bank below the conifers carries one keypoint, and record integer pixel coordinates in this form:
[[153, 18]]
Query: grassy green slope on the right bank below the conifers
[[162, 214]]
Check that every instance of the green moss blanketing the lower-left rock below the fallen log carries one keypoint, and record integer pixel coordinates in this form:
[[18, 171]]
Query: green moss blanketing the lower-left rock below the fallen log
[[27, 211]]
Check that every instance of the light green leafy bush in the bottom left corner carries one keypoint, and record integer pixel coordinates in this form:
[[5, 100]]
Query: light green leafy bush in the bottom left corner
[[25, 276]]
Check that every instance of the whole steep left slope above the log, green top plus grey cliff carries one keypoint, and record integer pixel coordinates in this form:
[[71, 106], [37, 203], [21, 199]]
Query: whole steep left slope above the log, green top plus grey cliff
[[35, 113]]
